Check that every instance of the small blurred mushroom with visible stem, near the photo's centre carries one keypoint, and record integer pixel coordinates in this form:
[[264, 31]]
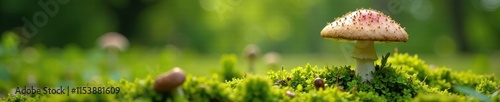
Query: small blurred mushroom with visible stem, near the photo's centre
[[251, 52]]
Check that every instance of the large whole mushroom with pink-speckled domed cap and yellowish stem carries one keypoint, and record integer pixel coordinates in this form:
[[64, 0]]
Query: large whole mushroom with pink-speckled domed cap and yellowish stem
[[365, 26]]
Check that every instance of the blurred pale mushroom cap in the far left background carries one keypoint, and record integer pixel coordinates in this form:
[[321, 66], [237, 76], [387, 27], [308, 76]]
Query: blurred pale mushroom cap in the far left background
[[113, 40]]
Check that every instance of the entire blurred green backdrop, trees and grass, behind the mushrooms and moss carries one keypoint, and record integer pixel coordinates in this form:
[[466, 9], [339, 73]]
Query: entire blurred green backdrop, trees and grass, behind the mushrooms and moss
[[460, 34]]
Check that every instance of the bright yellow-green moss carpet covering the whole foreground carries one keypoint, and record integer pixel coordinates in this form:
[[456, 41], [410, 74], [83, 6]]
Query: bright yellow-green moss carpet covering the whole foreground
[[402, 77]]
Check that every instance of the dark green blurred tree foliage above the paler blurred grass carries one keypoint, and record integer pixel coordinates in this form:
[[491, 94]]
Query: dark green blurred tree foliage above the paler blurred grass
[[220, 26]]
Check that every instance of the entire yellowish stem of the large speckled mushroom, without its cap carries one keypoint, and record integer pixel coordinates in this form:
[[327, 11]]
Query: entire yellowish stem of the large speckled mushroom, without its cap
[[365, 55]]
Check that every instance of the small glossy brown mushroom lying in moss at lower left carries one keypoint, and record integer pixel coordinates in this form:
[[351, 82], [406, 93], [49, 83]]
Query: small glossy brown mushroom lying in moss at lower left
[[170, 81]]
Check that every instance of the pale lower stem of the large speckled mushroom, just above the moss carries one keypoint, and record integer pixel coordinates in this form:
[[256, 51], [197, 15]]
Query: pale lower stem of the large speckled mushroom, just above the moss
[[365, 68]]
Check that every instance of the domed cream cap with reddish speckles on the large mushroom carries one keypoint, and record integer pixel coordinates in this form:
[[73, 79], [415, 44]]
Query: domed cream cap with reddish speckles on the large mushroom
[[366, 25]]
